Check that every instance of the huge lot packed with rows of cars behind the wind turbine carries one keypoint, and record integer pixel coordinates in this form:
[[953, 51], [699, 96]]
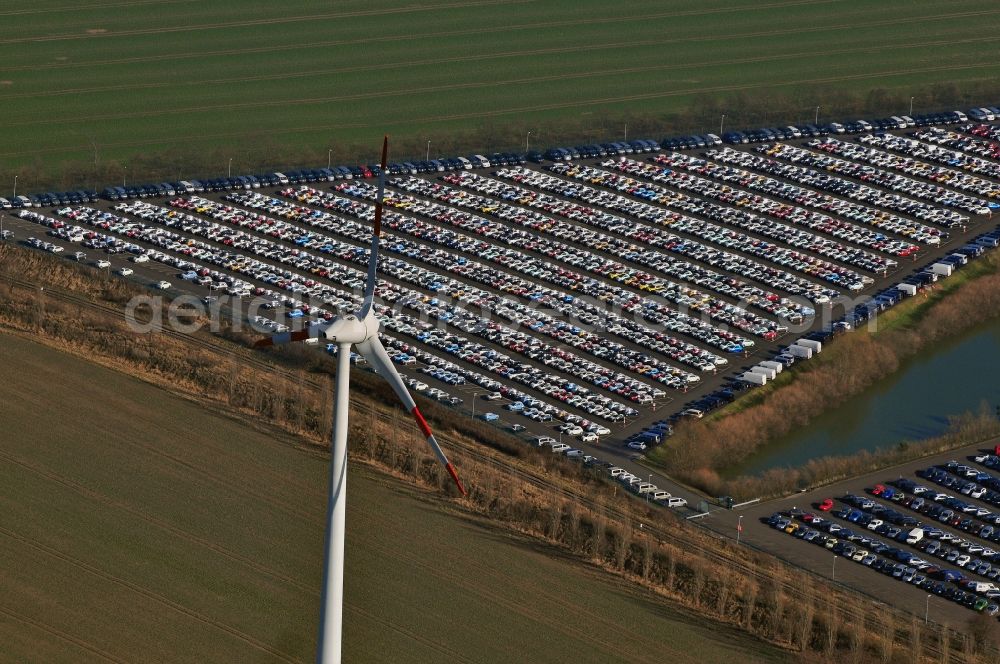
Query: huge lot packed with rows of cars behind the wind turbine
[[598, 296]]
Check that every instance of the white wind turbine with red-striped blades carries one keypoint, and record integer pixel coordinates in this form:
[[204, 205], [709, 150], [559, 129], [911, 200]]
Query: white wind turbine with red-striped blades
[[358, 330]]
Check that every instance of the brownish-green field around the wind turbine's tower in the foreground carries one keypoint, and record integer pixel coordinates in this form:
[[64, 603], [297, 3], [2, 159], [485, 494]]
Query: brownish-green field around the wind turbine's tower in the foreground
[[140, 527]]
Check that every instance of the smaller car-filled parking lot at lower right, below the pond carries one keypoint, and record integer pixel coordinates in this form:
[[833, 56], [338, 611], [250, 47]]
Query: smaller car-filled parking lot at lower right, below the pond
[[861, 533]]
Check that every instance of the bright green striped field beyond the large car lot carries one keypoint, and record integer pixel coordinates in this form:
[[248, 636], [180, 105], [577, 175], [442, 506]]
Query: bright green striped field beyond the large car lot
[[135, 89]]
